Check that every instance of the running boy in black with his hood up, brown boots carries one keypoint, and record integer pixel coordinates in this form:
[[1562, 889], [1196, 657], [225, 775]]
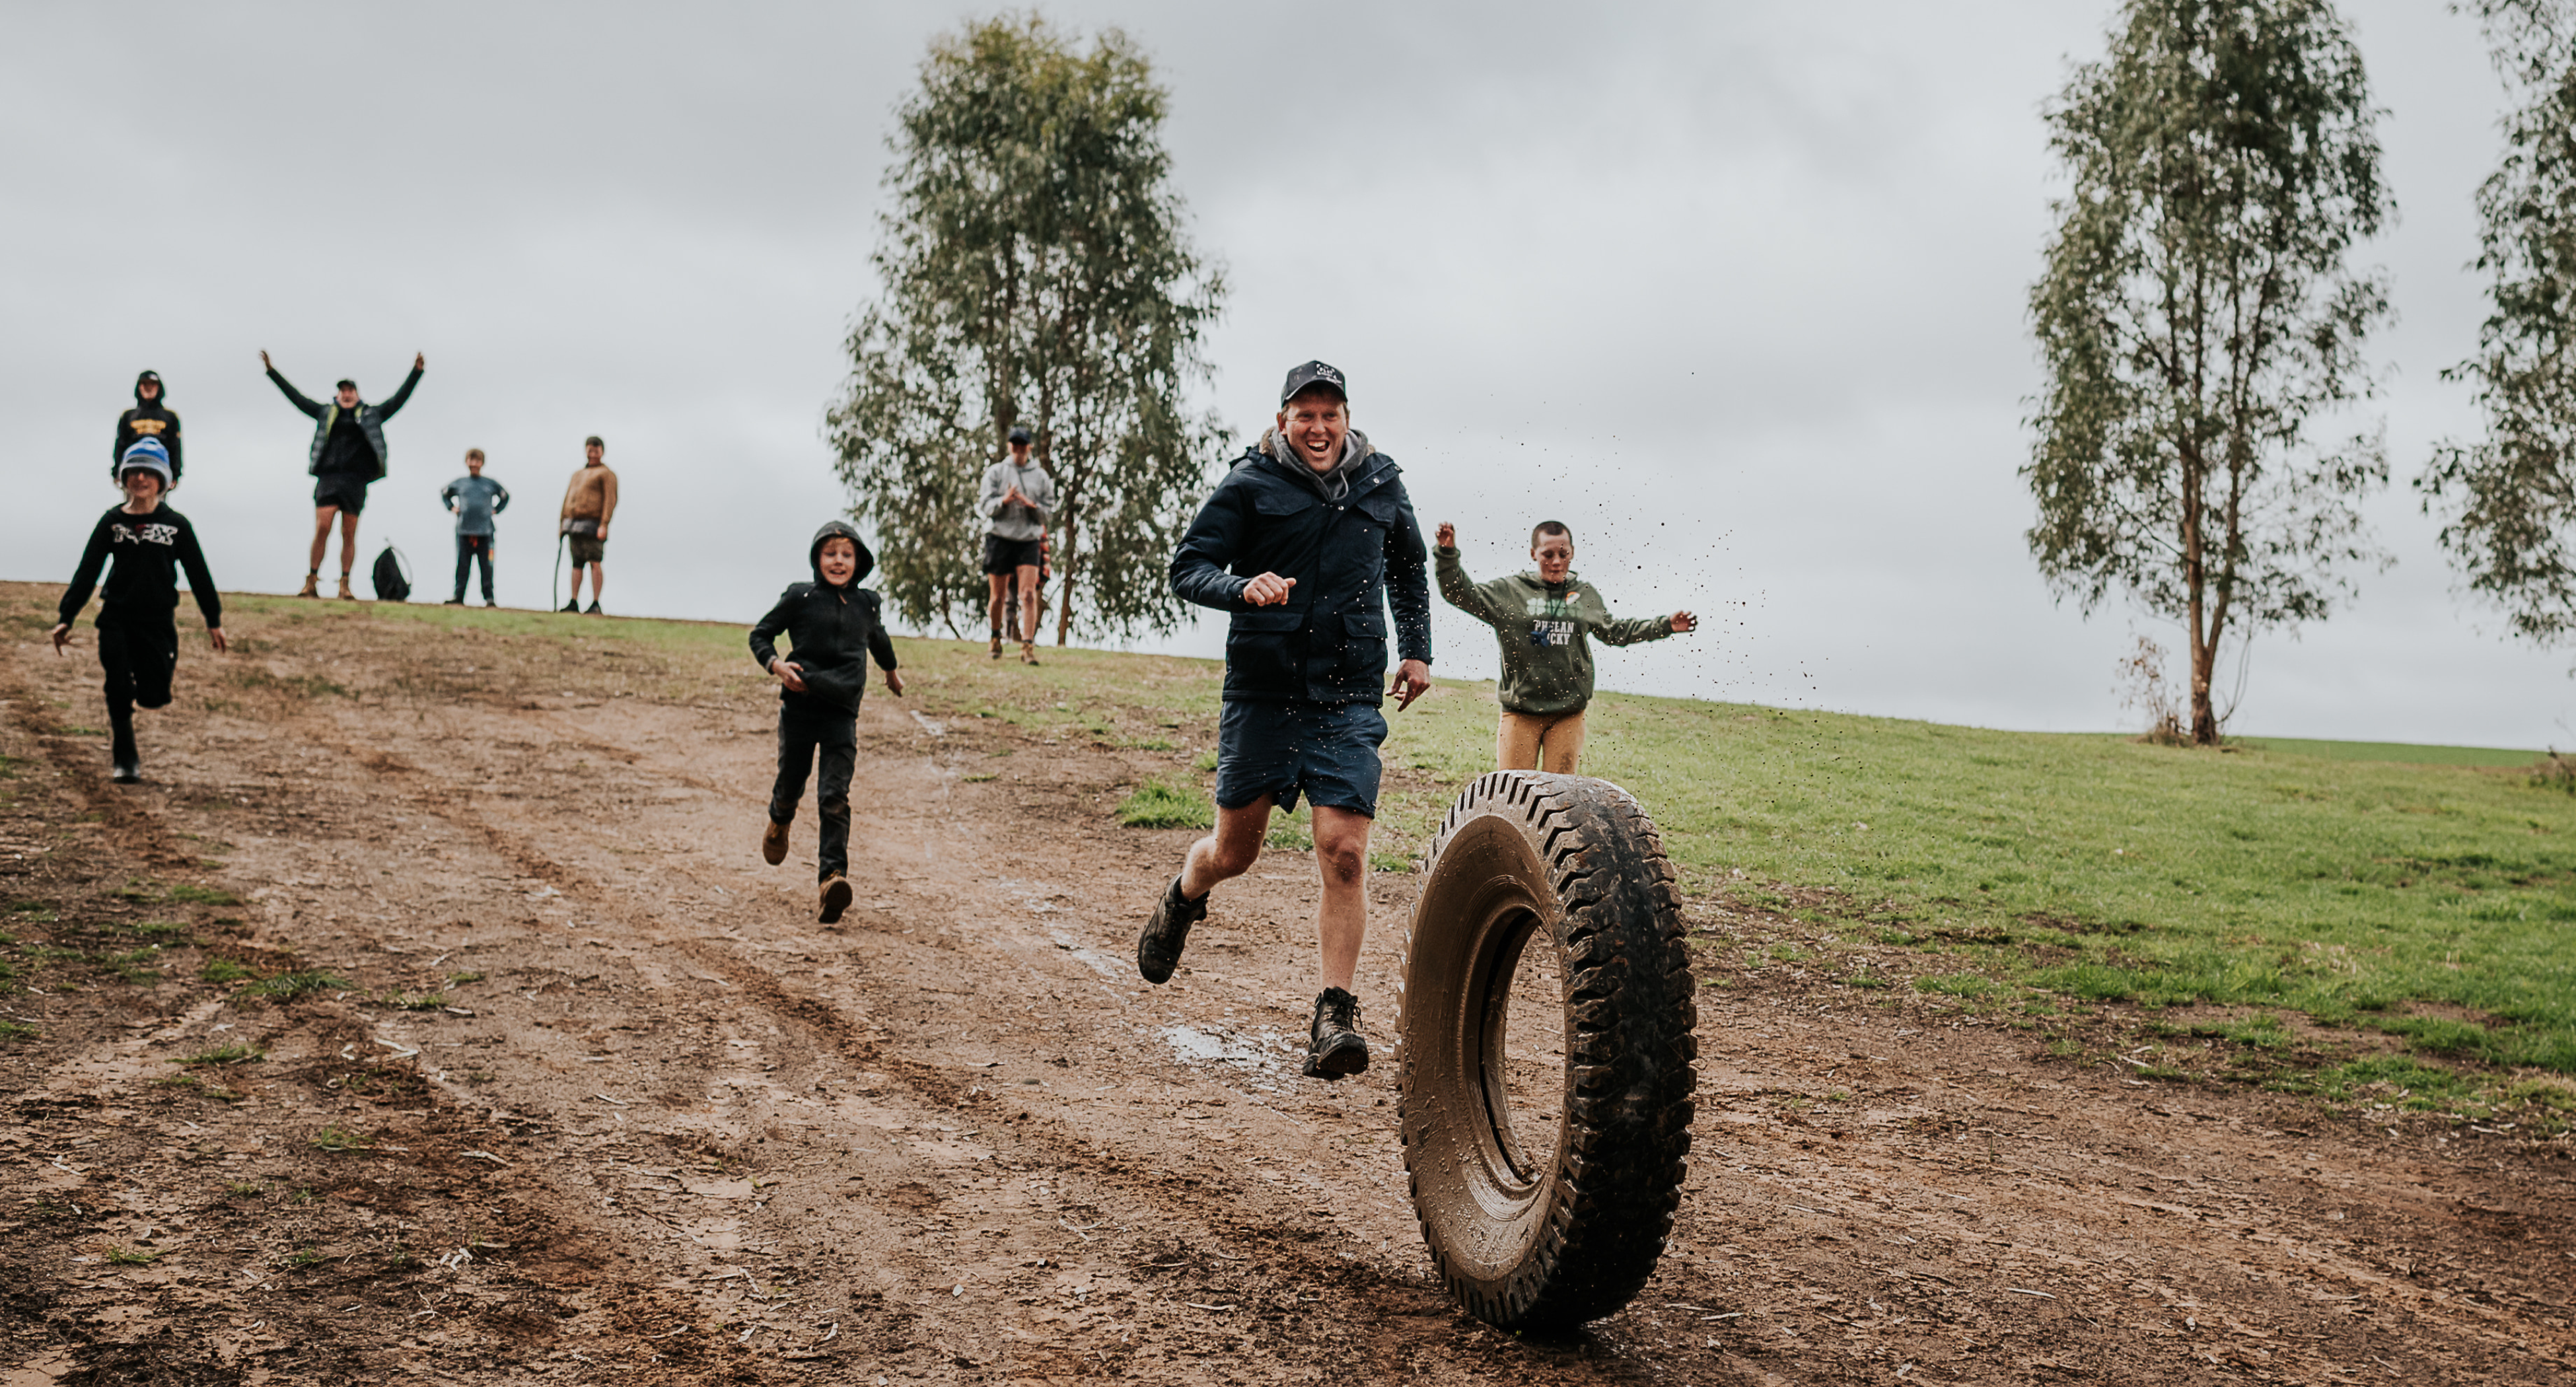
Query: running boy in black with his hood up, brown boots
[[833, 630]]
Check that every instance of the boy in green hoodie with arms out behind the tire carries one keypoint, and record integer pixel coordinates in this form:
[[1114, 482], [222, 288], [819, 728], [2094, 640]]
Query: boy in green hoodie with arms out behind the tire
[[1547, 659]]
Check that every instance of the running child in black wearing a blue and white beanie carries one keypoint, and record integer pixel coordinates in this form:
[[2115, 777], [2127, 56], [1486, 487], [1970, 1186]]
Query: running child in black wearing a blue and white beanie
[[138, 641]]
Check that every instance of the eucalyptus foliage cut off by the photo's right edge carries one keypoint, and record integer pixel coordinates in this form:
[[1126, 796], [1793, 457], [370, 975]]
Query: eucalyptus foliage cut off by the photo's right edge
[[2510, 499]]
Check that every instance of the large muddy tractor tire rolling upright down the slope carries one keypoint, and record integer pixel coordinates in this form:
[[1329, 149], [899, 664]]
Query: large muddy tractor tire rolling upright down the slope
[[1547, 1051]]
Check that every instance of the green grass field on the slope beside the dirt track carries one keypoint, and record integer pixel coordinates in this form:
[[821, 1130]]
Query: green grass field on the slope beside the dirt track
[[2428, 893]]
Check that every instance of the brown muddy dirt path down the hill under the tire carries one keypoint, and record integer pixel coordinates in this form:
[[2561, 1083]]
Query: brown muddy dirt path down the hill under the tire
[[681, 1133]]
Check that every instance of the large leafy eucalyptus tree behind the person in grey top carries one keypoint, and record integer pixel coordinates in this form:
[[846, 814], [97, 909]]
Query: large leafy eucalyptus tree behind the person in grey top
[[1034, 272]]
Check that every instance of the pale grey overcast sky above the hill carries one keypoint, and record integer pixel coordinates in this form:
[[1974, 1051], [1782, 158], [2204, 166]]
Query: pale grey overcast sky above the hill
[[1735, 290]]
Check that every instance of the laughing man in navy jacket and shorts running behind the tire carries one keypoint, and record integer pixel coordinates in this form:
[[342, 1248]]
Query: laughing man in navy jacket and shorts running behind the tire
[[1305, 543]]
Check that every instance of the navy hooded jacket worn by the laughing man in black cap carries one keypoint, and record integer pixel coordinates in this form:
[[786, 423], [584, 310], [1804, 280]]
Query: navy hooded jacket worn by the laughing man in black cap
[[1351, 558]]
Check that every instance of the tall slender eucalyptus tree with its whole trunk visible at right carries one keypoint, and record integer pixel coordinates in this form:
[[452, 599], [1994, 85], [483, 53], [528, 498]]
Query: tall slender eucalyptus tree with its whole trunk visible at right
[[2199, 324]]
